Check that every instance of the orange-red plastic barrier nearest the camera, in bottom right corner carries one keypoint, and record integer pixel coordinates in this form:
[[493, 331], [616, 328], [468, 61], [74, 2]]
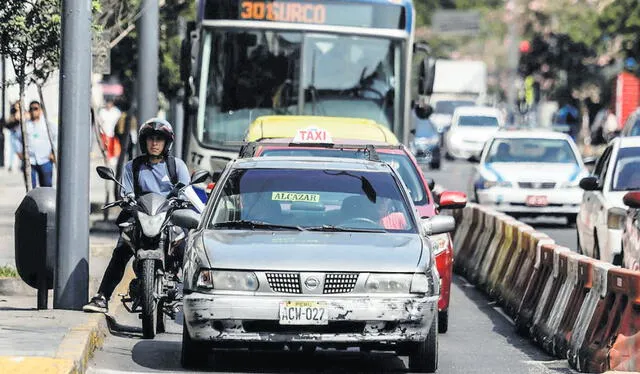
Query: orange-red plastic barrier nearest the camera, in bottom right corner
[[619, 315]]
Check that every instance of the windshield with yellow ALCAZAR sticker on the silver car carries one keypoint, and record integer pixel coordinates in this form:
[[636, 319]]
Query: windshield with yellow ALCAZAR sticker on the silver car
[[313, 199]]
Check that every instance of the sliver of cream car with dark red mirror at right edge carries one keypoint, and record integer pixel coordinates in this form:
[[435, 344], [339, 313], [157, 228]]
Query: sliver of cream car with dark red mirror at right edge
[[631, 232]]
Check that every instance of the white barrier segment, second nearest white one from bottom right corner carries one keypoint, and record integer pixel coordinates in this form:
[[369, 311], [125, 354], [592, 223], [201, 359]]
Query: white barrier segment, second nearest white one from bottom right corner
[[539, 326]]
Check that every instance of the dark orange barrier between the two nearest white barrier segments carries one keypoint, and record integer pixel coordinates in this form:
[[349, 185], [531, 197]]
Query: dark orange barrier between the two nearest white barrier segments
[[581, 288]]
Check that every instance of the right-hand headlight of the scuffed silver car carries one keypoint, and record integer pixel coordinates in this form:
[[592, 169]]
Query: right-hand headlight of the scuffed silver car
[[398, 283]]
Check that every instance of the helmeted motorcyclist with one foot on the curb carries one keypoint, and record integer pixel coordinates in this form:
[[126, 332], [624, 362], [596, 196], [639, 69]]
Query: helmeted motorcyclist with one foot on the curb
[[155, 171]]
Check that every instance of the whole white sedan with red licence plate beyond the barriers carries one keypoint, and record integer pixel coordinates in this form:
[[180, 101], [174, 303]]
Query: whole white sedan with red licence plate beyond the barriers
[[530, 173]]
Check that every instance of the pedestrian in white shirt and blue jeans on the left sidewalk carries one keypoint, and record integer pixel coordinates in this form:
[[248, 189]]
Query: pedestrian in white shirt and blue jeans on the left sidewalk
[[41, 154]]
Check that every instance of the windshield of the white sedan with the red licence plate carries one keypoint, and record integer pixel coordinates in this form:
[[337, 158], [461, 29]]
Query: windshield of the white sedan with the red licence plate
[[531, 150]]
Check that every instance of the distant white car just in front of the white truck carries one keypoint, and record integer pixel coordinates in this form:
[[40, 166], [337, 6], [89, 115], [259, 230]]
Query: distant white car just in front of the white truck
[[471, 127]]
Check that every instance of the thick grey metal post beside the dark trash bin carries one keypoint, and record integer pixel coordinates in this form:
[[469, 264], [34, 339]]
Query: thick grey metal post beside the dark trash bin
[[71, 289]]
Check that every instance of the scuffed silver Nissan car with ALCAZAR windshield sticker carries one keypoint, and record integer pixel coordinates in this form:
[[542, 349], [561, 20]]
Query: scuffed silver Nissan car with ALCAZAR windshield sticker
[[312, 252]]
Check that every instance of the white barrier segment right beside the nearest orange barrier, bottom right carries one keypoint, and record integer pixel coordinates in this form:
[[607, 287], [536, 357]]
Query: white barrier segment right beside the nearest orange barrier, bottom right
[[594, 309]]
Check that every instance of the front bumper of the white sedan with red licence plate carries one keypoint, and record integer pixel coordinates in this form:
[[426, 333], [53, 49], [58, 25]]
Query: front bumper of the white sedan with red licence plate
[[513, 200]]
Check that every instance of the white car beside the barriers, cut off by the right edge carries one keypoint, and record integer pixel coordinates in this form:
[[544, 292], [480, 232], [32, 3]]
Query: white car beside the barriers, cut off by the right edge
[[602, 212]]
